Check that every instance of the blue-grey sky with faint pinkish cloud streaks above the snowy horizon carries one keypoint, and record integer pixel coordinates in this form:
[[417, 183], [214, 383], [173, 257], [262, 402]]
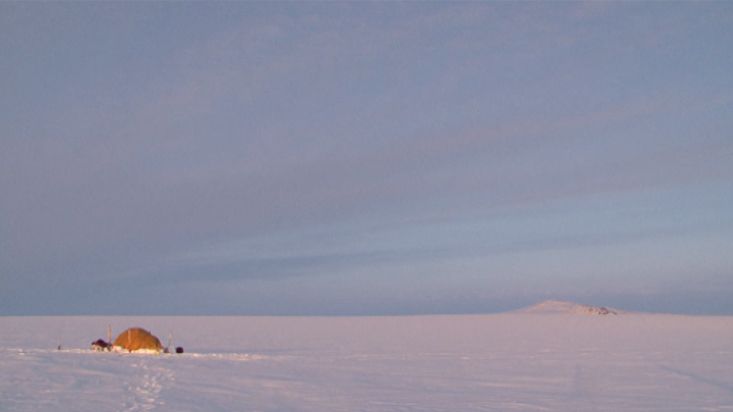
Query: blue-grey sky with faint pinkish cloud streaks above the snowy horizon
[[364, 158]]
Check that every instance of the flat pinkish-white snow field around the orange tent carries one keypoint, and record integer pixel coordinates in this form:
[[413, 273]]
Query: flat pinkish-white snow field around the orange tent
[[505, 362]]
